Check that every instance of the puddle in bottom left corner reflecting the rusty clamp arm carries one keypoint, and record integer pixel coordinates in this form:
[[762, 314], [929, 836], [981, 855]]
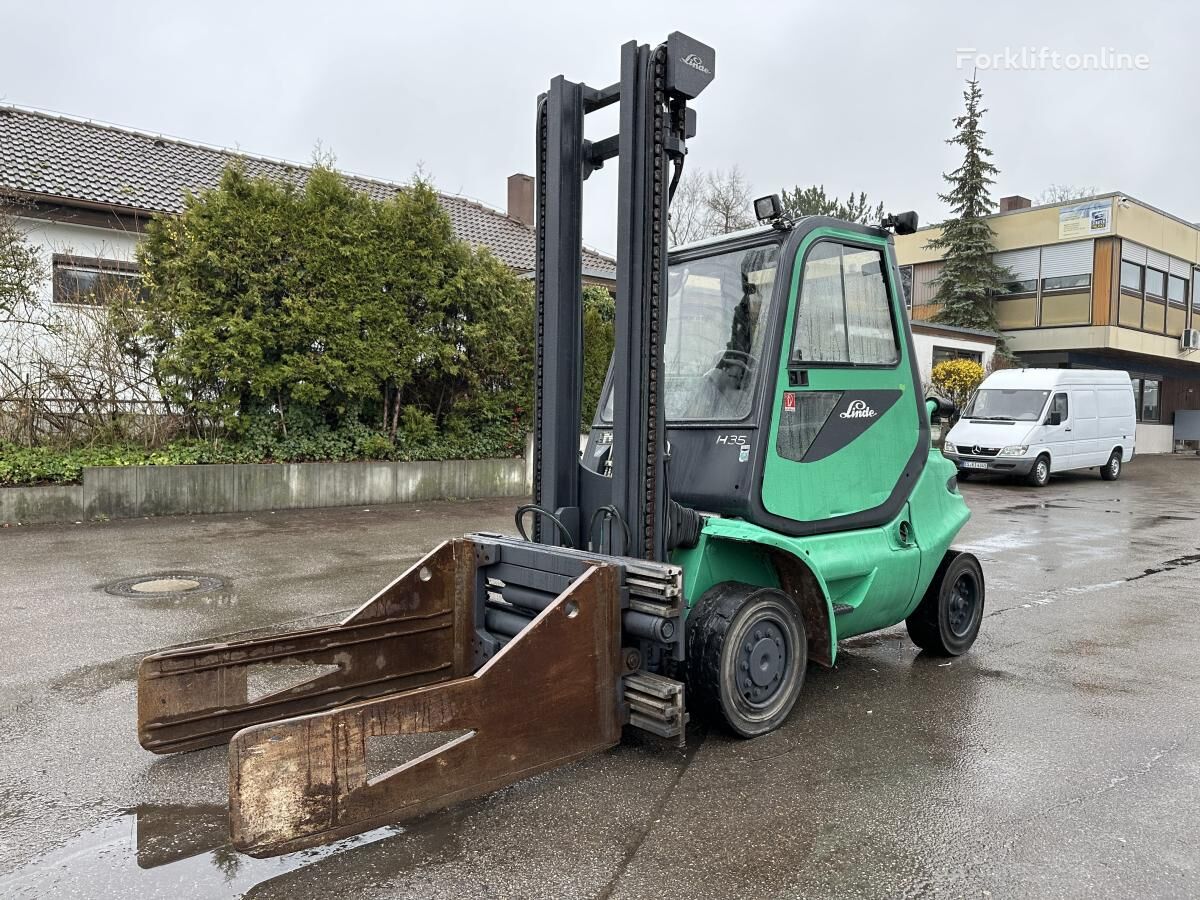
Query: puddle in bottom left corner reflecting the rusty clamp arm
[[165, 851]]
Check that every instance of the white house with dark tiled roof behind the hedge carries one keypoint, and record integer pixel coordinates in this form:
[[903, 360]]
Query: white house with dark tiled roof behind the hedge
[[85, 193]]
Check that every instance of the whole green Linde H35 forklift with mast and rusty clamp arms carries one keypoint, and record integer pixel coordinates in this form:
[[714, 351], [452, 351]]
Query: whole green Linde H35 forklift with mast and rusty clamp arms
[[758, 485]]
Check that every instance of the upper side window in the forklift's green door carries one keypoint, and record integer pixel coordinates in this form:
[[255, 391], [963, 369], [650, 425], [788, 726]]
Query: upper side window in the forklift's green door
[[843, 313]]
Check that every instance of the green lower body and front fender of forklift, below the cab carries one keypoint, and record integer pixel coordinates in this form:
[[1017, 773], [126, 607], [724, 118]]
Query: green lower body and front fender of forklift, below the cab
[[872, 571]]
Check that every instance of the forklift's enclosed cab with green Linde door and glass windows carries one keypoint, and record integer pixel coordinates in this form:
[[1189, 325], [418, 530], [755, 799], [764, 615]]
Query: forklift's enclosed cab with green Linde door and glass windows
[[791, 394]]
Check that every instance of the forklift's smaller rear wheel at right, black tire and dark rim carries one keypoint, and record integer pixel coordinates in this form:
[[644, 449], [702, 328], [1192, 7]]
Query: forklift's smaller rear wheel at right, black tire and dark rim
[[947, 621]]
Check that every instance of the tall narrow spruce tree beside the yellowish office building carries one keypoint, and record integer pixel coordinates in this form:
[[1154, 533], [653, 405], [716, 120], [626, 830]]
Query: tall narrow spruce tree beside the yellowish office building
[[970, 280]]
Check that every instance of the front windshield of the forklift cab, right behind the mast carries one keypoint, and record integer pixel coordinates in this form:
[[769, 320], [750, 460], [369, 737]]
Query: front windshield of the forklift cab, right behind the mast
[[717, 323]]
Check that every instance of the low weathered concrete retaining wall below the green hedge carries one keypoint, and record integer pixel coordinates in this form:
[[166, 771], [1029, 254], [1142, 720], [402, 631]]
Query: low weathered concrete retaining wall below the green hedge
[[135, 491]]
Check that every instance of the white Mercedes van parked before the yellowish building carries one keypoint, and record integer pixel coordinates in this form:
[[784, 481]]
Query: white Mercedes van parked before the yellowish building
[[1034, 422]]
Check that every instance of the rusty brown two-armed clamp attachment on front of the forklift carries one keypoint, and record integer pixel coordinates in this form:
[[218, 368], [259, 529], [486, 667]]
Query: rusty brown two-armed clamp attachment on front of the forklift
[[518, 647]]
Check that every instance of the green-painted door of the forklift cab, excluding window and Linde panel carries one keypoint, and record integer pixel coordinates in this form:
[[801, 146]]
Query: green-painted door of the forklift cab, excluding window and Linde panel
[[863, 475]]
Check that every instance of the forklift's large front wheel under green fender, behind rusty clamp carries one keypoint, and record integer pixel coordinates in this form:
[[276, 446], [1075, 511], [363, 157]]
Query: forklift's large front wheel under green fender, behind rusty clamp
[[747, 655]]
